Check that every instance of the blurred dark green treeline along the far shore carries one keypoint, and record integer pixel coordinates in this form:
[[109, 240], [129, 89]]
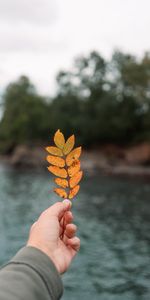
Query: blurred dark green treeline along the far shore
[[100, 101]]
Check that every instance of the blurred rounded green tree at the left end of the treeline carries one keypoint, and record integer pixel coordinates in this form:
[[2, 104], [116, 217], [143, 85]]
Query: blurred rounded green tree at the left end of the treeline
[[25, 115]]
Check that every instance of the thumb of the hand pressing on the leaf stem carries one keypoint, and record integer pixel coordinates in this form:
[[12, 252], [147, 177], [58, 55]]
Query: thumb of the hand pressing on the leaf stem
[[59, 208]]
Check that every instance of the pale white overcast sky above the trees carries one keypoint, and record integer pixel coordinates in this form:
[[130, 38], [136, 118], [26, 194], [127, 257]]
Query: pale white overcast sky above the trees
[[40, 37]]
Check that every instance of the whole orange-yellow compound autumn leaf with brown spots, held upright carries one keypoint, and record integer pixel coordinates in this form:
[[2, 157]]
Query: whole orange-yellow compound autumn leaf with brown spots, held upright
[[65, 164]]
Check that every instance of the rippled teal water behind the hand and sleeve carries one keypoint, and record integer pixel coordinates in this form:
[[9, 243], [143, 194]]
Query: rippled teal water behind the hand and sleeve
[[113, 219]]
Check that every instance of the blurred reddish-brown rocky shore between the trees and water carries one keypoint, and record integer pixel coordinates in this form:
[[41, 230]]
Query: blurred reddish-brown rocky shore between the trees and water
[[108, 159]]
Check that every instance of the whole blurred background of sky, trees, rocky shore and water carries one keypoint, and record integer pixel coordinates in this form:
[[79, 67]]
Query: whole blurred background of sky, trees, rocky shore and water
[[83, 67]]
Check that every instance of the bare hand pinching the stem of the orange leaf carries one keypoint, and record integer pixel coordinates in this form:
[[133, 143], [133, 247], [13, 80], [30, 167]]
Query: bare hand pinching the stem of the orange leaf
[[54, 234]]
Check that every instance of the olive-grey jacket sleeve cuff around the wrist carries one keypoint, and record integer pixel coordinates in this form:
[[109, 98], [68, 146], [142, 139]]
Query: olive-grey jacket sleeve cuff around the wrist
[[30, 275]]
